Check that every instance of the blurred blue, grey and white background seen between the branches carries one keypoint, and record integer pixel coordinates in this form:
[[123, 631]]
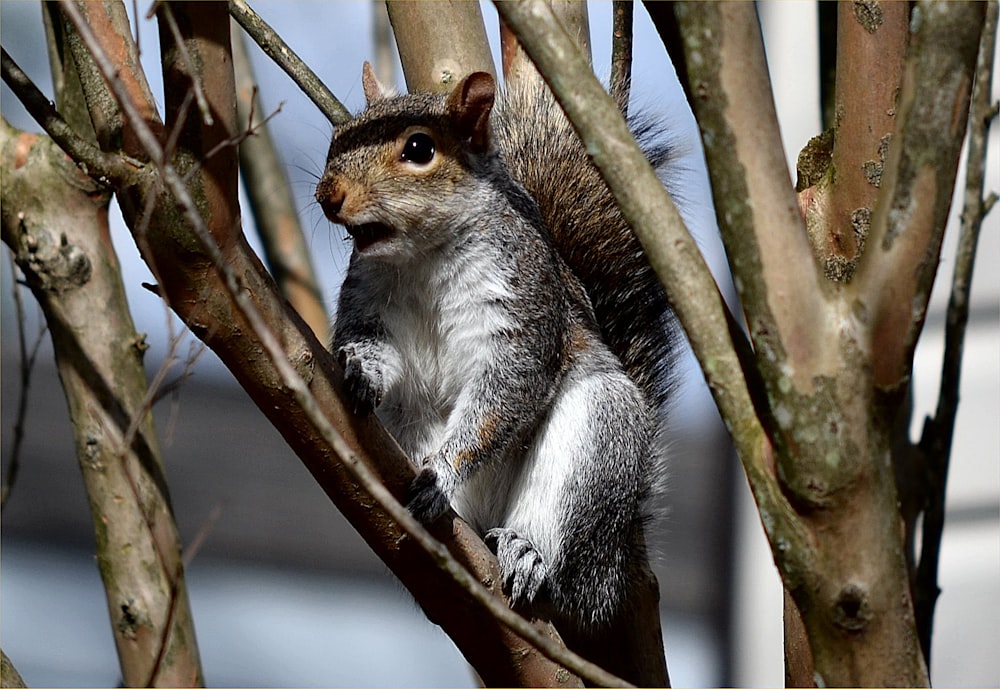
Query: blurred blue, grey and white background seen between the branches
[[285, 593]]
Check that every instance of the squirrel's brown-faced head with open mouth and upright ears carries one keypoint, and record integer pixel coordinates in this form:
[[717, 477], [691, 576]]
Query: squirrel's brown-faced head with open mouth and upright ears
[[402, 171]]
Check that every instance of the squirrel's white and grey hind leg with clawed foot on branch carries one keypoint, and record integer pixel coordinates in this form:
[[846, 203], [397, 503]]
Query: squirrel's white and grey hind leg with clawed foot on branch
[[569, 528]]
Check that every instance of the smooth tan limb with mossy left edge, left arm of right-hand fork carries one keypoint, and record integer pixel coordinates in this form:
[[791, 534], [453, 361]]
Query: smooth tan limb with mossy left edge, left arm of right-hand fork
[[779, 283]]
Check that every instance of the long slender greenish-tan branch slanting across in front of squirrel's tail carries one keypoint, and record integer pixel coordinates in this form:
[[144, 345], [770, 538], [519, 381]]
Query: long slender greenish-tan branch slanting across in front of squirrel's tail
[[672, 253]]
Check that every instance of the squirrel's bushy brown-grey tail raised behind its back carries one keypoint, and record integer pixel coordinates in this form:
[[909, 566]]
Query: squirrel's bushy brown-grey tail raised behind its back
[[543, 153]]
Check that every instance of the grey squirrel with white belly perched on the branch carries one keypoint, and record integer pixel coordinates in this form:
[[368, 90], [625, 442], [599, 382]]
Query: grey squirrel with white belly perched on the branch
[[500, 319]]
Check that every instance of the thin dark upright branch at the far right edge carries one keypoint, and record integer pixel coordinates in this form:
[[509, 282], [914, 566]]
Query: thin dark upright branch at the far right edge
[[938, 433]]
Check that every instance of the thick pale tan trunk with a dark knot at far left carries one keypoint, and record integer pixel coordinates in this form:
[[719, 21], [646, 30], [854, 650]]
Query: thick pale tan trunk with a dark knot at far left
[[55, 221]]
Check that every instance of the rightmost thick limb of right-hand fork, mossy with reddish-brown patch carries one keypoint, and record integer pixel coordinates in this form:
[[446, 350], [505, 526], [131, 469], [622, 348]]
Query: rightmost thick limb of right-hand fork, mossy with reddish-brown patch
[[897, 271]]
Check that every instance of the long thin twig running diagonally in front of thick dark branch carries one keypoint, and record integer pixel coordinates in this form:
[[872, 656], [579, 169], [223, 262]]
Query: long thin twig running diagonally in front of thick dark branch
[[290, 378]]
